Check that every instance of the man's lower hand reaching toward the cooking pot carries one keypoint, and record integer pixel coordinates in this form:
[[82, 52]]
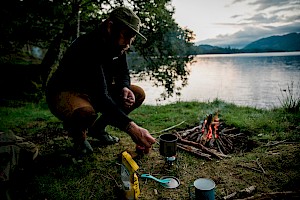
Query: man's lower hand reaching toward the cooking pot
[[140, 136]]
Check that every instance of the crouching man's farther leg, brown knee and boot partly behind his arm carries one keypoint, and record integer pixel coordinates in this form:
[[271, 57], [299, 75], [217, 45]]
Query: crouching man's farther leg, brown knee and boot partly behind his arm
[[98, 128]]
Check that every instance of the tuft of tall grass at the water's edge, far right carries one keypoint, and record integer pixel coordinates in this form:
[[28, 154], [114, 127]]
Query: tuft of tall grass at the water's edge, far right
[[290, 97]]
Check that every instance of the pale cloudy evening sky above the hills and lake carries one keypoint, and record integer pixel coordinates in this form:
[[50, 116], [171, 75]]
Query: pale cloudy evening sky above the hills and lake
[[236, 23]]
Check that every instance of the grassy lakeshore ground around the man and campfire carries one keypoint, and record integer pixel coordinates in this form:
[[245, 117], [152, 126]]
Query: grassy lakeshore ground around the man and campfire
[[54, 176]]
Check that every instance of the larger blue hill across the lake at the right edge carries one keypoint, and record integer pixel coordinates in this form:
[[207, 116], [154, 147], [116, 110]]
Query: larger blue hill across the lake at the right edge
[[289, 42]]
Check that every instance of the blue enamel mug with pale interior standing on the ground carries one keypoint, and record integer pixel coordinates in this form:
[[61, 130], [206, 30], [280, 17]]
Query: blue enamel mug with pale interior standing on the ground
[[204, 189]]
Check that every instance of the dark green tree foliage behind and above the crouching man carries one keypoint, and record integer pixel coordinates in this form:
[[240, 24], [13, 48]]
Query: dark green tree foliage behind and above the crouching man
[[52, 25]]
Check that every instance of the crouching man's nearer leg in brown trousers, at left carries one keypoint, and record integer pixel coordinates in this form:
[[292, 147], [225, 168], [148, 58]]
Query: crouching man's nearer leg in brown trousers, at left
[[77, 114]]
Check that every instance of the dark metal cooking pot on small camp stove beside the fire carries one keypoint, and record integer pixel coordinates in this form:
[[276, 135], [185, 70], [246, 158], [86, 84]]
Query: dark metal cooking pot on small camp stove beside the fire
[[168, 145]]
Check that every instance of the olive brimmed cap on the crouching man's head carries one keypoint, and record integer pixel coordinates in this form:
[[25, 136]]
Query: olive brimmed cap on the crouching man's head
[[129, 18]]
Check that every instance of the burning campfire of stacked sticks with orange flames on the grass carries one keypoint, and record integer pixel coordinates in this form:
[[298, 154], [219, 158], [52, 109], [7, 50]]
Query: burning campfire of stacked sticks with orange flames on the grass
[[211, 138]]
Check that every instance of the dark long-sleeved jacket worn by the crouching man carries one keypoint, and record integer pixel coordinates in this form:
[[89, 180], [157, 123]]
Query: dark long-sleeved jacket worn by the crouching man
[[89, 67]]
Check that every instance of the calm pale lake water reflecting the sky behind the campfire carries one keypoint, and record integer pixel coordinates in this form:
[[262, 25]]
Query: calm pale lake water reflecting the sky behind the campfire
[[254, 79]]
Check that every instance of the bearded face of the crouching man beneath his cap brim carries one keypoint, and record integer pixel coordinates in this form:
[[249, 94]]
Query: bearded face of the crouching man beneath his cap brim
[[123, 41]]
